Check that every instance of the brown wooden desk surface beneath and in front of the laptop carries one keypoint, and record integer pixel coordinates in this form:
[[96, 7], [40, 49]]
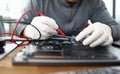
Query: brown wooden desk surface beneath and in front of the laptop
[[6, 67]]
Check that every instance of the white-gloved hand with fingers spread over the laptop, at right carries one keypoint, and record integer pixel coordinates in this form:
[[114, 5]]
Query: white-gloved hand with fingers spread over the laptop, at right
[[96, 34]]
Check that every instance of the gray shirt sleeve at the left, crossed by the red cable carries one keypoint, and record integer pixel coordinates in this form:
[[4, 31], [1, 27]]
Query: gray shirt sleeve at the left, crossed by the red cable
[[32, 4]]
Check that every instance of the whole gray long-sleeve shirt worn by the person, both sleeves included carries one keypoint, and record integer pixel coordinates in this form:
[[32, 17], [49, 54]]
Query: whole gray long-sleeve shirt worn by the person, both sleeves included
[[72, 18]]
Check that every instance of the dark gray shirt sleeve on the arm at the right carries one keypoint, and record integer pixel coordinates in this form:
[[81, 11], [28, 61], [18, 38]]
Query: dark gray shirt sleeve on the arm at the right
[[100, 14]]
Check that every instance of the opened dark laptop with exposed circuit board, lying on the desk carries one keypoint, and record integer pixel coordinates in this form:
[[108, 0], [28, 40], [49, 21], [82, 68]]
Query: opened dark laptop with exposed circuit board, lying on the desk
[[58, 50]]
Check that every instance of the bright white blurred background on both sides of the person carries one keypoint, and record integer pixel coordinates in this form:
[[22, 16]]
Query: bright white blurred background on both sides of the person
[[11, 10]]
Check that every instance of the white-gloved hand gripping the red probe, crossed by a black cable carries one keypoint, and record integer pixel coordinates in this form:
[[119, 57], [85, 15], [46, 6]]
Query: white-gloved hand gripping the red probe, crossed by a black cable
[[43, 24]]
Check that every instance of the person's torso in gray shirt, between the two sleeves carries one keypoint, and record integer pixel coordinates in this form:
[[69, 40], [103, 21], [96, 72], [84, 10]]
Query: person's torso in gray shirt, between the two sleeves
[[71, 19]]
